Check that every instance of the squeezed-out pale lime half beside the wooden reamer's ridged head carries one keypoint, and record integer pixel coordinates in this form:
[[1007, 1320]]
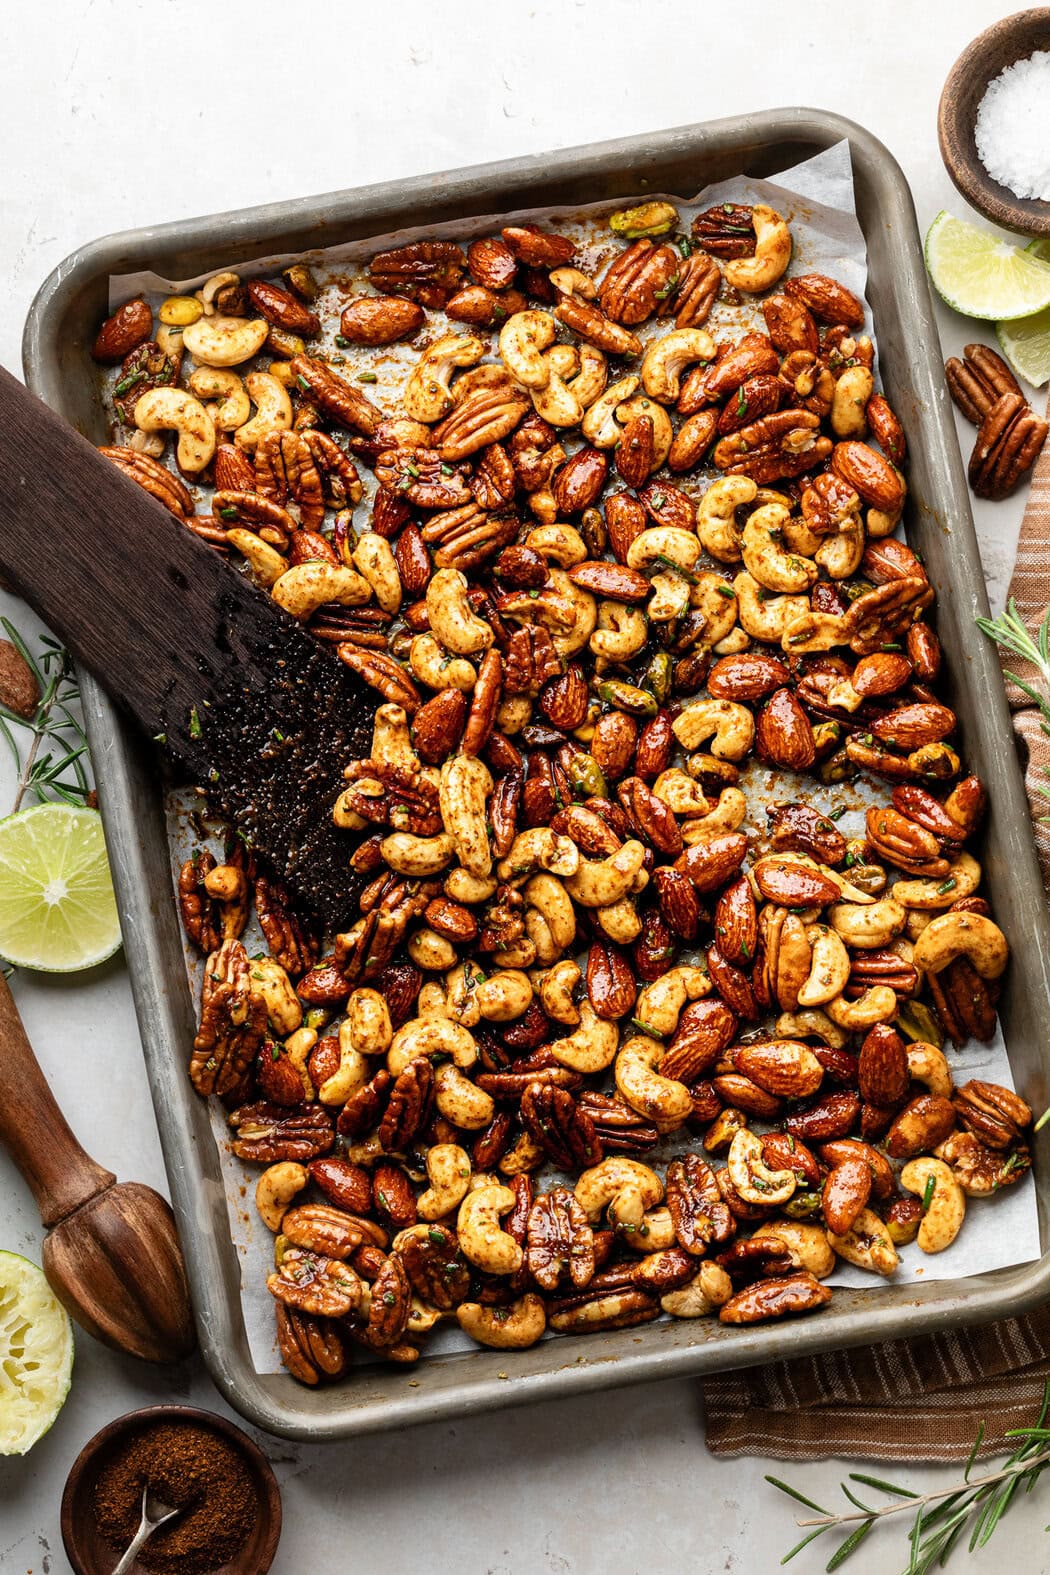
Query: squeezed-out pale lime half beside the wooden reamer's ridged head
[[35, 1355]]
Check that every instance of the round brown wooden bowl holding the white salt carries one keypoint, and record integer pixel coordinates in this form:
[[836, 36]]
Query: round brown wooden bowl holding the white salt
[[1015, 39]]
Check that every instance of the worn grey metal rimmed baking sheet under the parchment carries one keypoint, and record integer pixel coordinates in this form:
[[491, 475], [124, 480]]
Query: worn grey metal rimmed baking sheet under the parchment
[[59, 332]]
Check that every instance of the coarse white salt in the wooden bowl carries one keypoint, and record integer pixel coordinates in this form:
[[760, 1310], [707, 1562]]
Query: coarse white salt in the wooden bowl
[[1013, 130]]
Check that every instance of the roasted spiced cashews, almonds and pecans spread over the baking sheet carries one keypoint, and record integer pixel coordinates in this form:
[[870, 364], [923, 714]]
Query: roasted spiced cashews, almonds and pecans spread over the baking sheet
[[608, 560]]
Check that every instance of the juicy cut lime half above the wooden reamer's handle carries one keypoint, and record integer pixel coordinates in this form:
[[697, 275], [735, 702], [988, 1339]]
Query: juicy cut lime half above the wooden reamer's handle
[[57, 906]]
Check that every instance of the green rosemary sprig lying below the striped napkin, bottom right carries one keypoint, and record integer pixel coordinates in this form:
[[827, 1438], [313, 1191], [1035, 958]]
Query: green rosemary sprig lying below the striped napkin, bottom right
[[975, 1503]]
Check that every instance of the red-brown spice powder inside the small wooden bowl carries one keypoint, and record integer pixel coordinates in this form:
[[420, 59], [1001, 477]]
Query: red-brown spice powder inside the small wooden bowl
[[194, 1470]]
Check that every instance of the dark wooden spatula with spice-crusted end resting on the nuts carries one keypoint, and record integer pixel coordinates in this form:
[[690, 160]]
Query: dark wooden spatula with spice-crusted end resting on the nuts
[[259, 713]]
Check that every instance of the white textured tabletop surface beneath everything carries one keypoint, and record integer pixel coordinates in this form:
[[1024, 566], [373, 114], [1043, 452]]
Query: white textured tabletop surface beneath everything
[[124, 113]]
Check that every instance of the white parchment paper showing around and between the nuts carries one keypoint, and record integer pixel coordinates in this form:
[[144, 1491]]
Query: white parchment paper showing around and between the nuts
[[818, 199]]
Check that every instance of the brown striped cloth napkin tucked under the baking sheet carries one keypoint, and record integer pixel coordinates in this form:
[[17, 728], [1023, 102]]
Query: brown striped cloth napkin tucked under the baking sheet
[[915, 1399]]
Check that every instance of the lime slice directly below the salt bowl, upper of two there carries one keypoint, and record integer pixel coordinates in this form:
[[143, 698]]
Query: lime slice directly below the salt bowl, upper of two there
[[983, 276]]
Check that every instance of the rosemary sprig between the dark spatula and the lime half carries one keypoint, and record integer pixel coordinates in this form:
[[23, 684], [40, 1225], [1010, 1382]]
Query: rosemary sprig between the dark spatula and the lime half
[[54, 763]]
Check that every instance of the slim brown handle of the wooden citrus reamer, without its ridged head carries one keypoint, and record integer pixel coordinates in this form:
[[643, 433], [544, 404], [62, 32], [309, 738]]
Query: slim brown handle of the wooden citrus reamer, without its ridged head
[[56, 1168]]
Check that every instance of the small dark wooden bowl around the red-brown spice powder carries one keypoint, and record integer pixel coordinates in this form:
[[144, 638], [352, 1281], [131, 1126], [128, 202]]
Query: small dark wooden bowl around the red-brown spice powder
[[87, 1549]]
